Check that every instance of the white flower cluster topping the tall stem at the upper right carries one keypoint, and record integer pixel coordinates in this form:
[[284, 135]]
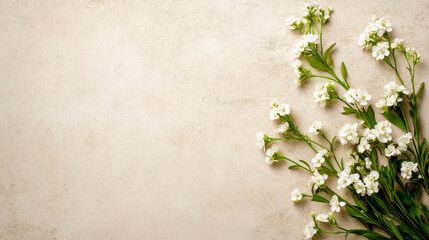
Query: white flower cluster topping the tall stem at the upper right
[[374, 31]]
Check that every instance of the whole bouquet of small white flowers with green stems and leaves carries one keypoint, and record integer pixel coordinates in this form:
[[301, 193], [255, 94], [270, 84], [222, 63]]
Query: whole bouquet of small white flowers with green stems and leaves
[[385, 176]]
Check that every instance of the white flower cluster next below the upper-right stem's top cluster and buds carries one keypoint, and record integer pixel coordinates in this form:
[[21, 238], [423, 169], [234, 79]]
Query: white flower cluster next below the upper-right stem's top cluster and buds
[[392, 96]]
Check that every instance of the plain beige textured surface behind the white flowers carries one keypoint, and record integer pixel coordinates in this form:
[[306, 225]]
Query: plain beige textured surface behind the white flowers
[[136, 119]]
